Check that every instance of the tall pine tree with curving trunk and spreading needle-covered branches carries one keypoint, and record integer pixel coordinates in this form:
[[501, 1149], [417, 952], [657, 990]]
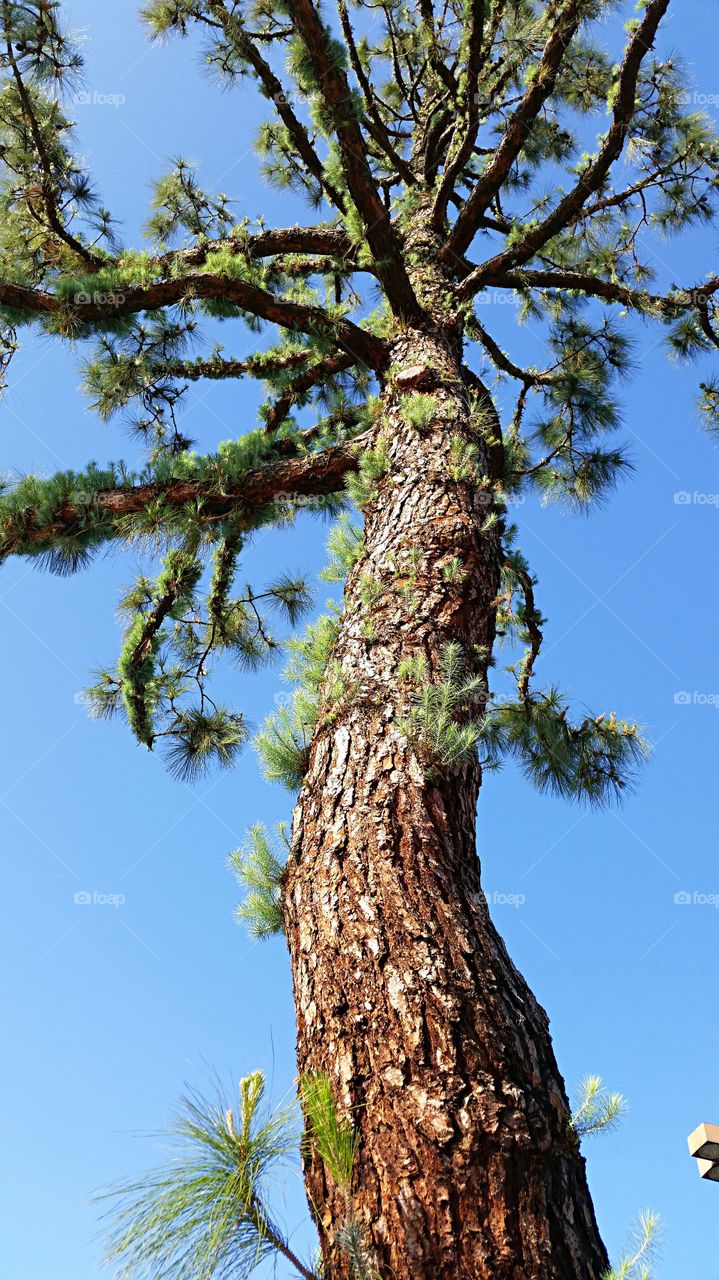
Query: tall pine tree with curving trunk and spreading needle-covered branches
[[450, 157]]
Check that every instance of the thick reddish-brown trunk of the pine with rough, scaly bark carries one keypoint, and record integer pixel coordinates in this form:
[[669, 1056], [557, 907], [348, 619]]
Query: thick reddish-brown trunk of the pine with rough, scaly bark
[[406, 998]]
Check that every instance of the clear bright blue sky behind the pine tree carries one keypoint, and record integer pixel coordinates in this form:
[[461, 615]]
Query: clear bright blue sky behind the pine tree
[[108, 1011]]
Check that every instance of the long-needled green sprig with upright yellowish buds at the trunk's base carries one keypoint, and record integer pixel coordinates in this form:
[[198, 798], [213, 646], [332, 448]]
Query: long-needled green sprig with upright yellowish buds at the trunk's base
[[204, 1214]]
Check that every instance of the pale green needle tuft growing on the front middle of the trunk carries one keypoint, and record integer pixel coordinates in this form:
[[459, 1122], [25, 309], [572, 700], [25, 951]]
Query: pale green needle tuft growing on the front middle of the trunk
[[433, 728]]
